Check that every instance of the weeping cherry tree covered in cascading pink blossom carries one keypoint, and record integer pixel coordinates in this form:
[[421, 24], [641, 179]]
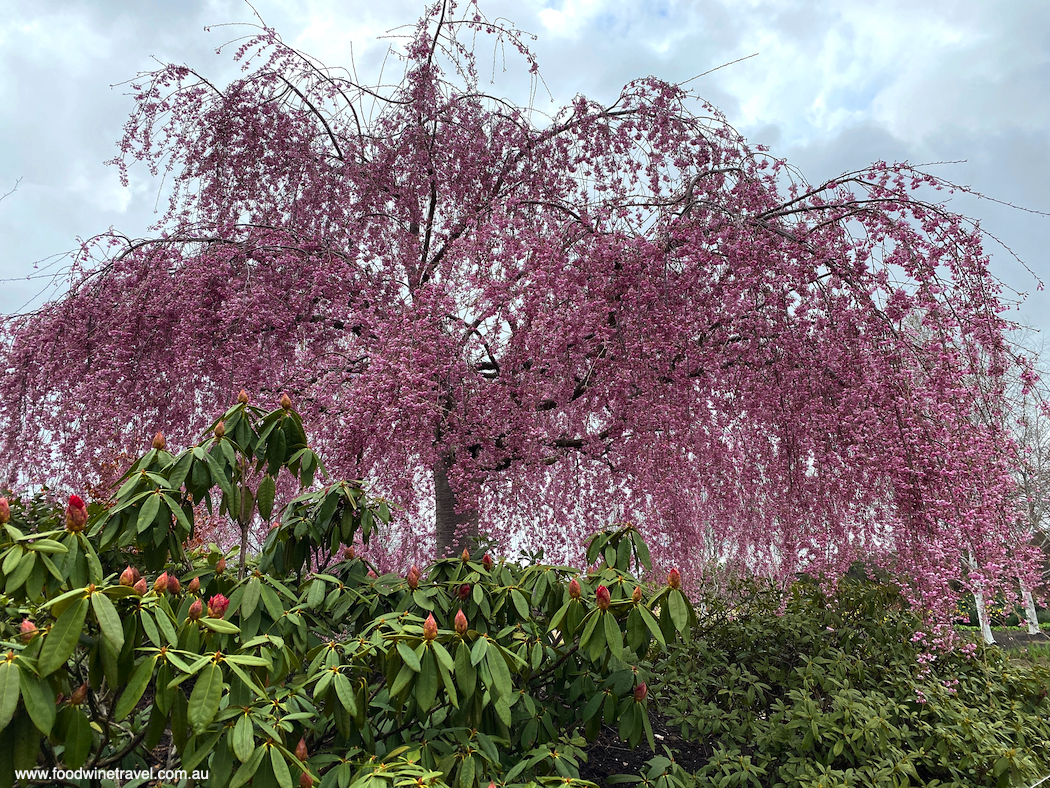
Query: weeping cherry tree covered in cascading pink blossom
[[516, 324]]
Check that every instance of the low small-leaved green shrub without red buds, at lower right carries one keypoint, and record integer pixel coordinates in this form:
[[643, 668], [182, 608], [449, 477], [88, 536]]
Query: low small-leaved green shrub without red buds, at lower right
[[838, 690]]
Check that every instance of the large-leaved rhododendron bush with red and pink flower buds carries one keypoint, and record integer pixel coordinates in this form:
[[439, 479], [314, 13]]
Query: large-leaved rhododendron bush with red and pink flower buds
[[306, 662]]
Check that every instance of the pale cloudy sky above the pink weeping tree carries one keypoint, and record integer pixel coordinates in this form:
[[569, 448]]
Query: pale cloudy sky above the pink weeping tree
[[834, 87]]
